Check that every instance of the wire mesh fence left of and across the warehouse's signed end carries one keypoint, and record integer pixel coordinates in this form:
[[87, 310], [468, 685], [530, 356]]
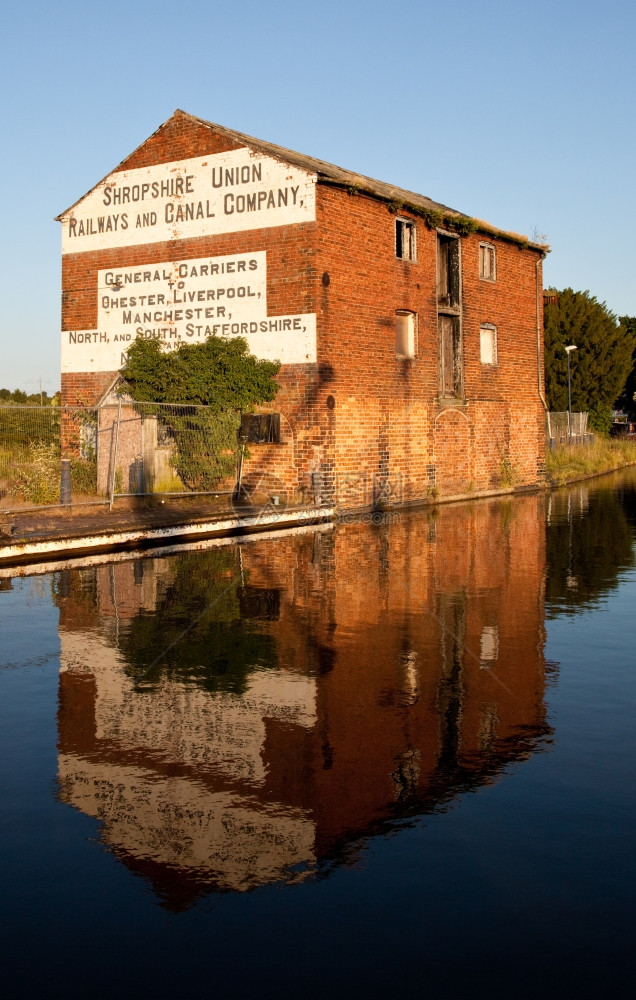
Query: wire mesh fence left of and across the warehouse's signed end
[[53, 455]]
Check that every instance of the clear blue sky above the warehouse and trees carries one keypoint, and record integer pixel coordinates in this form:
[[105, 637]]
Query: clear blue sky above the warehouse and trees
[[521, 113]]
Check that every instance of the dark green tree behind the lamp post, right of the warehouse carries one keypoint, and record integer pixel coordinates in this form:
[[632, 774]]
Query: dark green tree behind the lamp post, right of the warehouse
[[600, 365]]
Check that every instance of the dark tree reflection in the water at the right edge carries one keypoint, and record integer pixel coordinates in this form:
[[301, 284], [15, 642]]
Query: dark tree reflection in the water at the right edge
[[586, 550]]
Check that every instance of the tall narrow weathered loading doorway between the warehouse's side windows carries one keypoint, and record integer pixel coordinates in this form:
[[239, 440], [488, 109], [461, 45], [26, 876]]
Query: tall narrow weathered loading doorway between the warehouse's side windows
[[449, 317]]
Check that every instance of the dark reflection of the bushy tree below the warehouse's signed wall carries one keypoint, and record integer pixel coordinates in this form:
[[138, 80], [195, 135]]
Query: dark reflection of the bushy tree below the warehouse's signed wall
[[198, 631]]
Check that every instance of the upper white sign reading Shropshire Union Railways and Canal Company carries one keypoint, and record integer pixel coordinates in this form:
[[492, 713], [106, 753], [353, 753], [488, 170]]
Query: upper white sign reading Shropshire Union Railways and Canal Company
[[222, 193]]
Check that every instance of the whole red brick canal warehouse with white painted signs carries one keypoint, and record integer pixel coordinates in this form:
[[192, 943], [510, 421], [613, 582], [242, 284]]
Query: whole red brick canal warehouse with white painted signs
[[410, 335]]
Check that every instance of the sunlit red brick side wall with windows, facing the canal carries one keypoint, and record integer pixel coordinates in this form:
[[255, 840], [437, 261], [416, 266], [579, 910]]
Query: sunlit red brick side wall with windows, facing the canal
[[388, 420]]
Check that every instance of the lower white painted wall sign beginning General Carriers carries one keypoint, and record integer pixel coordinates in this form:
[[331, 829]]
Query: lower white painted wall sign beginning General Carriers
[[187, 301]]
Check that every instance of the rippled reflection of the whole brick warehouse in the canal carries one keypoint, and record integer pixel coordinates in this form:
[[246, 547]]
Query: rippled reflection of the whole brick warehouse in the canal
[[407, 667]]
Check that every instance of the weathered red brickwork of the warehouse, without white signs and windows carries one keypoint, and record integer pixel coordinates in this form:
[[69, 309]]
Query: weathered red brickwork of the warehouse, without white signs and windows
[[362, 425]]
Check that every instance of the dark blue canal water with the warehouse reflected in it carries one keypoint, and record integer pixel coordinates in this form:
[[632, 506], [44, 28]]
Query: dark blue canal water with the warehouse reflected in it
[[352, 760]]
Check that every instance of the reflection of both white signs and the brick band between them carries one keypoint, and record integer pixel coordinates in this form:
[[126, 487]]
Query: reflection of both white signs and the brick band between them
[[172, 772]]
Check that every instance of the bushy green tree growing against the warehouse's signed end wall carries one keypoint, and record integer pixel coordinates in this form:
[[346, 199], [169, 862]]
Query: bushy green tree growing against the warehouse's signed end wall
[[219, 374]]
